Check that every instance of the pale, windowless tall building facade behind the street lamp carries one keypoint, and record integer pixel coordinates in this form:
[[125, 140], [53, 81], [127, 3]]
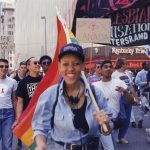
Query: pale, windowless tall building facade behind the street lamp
[[35, 23]]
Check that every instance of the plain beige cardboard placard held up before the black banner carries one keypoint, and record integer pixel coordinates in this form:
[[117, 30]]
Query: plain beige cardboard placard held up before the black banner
[[93, 30]]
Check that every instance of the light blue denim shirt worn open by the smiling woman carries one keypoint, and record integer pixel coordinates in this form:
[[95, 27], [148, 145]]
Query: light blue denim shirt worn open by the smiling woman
[[64, 129]]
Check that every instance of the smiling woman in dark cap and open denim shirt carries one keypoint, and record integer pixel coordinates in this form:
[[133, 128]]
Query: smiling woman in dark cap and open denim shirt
[[65, 117]]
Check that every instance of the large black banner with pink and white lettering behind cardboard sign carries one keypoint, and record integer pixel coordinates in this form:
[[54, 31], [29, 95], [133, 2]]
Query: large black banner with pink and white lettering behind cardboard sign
[[130, 19]]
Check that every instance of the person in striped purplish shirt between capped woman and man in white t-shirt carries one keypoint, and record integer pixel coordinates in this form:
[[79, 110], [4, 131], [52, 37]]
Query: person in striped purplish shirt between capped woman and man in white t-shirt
[[97, 75]]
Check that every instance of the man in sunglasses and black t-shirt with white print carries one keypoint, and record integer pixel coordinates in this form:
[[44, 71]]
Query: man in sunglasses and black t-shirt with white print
[[27, 86]]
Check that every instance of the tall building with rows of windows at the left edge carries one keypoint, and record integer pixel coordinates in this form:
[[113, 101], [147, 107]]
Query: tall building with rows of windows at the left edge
[[7, 31]]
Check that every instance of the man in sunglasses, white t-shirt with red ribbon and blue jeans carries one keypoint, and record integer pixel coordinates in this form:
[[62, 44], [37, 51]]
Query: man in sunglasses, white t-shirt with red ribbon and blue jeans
[[8, 87]]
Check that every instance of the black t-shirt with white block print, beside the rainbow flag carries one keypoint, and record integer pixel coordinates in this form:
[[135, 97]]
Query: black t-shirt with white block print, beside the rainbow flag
[[26, 88]]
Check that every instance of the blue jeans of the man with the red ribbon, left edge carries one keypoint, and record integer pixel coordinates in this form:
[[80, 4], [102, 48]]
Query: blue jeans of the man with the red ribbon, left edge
[[6, 121]]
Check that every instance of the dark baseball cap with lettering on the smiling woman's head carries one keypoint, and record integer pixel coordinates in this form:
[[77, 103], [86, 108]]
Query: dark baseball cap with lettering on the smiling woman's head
[[72, 49]]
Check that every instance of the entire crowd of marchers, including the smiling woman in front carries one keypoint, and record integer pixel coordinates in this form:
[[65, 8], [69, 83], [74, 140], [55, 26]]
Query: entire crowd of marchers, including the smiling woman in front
[[65, 117]]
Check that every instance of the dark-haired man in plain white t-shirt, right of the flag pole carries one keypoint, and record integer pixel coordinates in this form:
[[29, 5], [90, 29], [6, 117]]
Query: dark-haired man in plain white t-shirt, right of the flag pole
[[113, 89]]
